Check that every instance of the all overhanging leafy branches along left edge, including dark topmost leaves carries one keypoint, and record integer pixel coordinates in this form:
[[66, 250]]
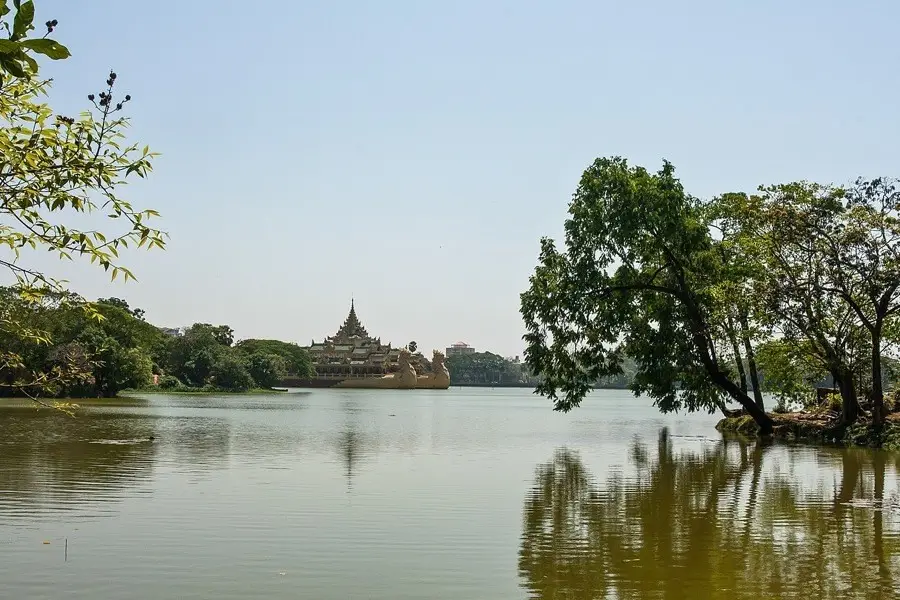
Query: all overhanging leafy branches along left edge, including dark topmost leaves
[[55, 165]]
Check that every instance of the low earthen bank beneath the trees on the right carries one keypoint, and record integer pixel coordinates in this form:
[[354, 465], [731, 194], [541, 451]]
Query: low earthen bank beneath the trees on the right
[[820, 428]]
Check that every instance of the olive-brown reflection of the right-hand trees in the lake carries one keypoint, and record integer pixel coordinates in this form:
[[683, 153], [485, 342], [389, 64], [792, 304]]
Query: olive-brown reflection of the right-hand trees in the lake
[[728, 520]]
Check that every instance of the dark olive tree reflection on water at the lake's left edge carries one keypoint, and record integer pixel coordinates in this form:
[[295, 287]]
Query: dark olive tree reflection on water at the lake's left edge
[[50, 462]]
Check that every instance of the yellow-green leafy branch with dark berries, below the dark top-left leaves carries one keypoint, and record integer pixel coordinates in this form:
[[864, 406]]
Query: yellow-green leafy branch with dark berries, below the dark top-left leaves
[[57, 167]]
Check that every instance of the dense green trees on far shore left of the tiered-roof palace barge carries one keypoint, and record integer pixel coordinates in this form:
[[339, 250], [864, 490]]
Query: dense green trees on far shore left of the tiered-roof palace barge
[[111, 347]]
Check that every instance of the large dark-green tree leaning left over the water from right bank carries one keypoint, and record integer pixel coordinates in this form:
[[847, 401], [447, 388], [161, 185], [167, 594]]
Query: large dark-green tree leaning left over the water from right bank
[[638, 276]]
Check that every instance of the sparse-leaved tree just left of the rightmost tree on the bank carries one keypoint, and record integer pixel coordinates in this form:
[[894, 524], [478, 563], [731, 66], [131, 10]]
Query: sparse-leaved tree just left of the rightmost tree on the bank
[[780, 231]]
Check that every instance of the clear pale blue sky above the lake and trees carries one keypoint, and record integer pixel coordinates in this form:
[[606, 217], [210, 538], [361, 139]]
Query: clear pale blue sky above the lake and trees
[[412, 153]]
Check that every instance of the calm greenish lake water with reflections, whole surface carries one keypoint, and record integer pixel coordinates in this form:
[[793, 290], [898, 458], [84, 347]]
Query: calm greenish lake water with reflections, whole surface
[[464, 494]]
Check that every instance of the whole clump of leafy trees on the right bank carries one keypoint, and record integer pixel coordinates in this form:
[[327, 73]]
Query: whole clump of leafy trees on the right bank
[[788, 285]]
